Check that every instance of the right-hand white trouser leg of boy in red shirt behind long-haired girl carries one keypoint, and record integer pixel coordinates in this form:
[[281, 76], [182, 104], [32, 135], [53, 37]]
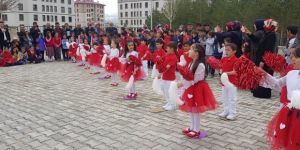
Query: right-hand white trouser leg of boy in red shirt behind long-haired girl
[[232, 96]]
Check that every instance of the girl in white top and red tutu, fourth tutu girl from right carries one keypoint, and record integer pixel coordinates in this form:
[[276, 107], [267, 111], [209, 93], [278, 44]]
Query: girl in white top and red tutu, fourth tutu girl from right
[[113, 64]]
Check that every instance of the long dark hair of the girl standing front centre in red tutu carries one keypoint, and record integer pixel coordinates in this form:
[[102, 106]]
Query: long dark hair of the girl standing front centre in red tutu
[[201, 56]]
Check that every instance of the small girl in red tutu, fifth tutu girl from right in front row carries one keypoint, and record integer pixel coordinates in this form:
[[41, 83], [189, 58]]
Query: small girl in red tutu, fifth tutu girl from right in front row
[[95, 58]]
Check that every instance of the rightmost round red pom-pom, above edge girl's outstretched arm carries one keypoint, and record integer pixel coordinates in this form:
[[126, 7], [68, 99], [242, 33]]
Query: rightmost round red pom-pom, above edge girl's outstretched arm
[[275, 61]]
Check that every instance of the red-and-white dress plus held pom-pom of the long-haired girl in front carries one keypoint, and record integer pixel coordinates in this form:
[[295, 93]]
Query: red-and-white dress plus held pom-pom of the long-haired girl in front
[[197, 95]]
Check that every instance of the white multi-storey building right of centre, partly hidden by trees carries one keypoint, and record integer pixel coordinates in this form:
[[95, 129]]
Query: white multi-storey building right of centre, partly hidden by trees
[[134, 13]]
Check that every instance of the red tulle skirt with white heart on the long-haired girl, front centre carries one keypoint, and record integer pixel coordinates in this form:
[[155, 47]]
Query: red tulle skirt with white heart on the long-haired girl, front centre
[[198, 98]]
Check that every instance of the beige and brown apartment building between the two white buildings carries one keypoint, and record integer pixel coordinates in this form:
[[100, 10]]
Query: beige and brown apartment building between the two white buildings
[[88, 11]]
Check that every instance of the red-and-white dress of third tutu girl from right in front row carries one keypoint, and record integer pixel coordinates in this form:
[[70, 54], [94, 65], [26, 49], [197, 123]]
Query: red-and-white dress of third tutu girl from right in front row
[[128, 68]]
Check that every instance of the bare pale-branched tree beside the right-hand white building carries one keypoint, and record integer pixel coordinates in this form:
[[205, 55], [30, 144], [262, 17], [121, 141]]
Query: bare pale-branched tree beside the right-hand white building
[[169, 10]]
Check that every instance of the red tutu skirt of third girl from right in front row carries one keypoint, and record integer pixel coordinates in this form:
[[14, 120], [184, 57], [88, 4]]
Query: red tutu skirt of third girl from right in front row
[[126, 71]]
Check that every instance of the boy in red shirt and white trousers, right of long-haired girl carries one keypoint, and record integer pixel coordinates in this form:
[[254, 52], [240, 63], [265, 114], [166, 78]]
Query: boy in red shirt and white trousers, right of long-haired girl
[[229, 94]]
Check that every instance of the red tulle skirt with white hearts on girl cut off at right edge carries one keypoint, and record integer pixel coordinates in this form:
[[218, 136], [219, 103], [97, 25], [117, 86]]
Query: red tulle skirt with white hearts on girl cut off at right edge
[[283, 130]]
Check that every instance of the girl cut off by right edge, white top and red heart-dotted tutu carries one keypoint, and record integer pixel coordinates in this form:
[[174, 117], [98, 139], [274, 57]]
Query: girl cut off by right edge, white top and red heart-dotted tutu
[[283, 130]]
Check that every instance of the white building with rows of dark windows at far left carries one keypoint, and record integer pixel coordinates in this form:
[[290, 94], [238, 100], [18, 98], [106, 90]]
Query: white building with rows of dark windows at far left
[[40, 11]]
